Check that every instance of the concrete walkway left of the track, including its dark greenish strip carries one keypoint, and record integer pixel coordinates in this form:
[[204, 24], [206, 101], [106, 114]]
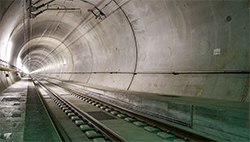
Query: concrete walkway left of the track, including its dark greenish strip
[[22, 115]]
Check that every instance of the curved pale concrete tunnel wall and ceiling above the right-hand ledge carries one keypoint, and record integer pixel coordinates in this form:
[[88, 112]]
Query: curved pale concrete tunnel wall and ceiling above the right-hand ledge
[[140, 36]]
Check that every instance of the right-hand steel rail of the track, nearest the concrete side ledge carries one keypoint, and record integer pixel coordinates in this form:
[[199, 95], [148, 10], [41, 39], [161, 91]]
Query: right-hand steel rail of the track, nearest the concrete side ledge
[[179, 132]]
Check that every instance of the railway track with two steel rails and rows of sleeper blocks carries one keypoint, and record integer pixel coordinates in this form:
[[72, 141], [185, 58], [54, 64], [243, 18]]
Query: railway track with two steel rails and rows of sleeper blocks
[[103, 131]]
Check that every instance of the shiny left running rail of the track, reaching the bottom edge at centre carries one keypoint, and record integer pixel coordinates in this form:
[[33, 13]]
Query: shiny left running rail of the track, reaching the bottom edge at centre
[[102, 128]]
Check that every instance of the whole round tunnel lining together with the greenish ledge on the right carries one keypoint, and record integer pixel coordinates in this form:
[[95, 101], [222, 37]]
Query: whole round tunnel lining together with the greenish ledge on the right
[[192, 53]]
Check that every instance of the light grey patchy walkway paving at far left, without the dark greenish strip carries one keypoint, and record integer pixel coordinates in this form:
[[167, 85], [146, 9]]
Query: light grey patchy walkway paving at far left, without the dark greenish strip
[[12, 111]]
